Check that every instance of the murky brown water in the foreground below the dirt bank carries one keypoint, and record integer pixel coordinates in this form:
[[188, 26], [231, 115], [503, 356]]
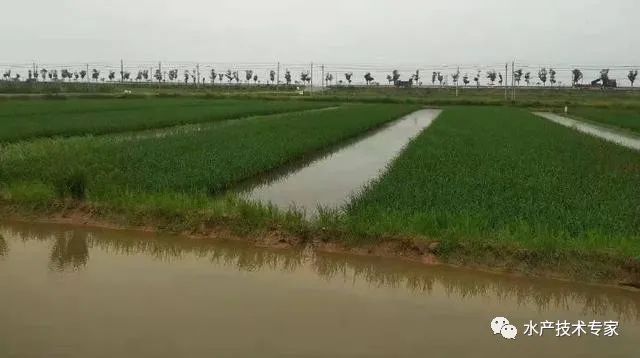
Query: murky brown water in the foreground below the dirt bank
[[69, 292]]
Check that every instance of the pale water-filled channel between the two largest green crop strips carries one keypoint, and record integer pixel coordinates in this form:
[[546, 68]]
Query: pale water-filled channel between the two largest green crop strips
[[329, 181]]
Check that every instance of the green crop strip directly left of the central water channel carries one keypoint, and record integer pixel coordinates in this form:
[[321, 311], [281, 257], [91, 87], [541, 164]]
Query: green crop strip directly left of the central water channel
[[204, 160]]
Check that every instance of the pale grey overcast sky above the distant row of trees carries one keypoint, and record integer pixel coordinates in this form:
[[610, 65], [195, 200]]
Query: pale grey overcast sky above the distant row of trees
[[324, 31]]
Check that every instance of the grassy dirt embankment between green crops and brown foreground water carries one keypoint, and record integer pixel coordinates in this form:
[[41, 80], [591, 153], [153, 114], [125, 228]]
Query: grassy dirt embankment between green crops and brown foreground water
[[594, 268]]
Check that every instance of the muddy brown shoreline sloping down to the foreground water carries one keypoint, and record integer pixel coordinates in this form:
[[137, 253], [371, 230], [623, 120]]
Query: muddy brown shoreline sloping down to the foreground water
[[415, 250]]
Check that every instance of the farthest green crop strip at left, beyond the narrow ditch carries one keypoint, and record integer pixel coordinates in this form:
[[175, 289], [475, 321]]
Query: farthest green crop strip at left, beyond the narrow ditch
[[21, 119]]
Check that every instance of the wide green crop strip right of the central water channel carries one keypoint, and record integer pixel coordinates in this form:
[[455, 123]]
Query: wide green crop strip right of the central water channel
[[501, 176]]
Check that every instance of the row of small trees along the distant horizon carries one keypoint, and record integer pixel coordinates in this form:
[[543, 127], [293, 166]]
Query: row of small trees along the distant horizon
[[544, 75]]
